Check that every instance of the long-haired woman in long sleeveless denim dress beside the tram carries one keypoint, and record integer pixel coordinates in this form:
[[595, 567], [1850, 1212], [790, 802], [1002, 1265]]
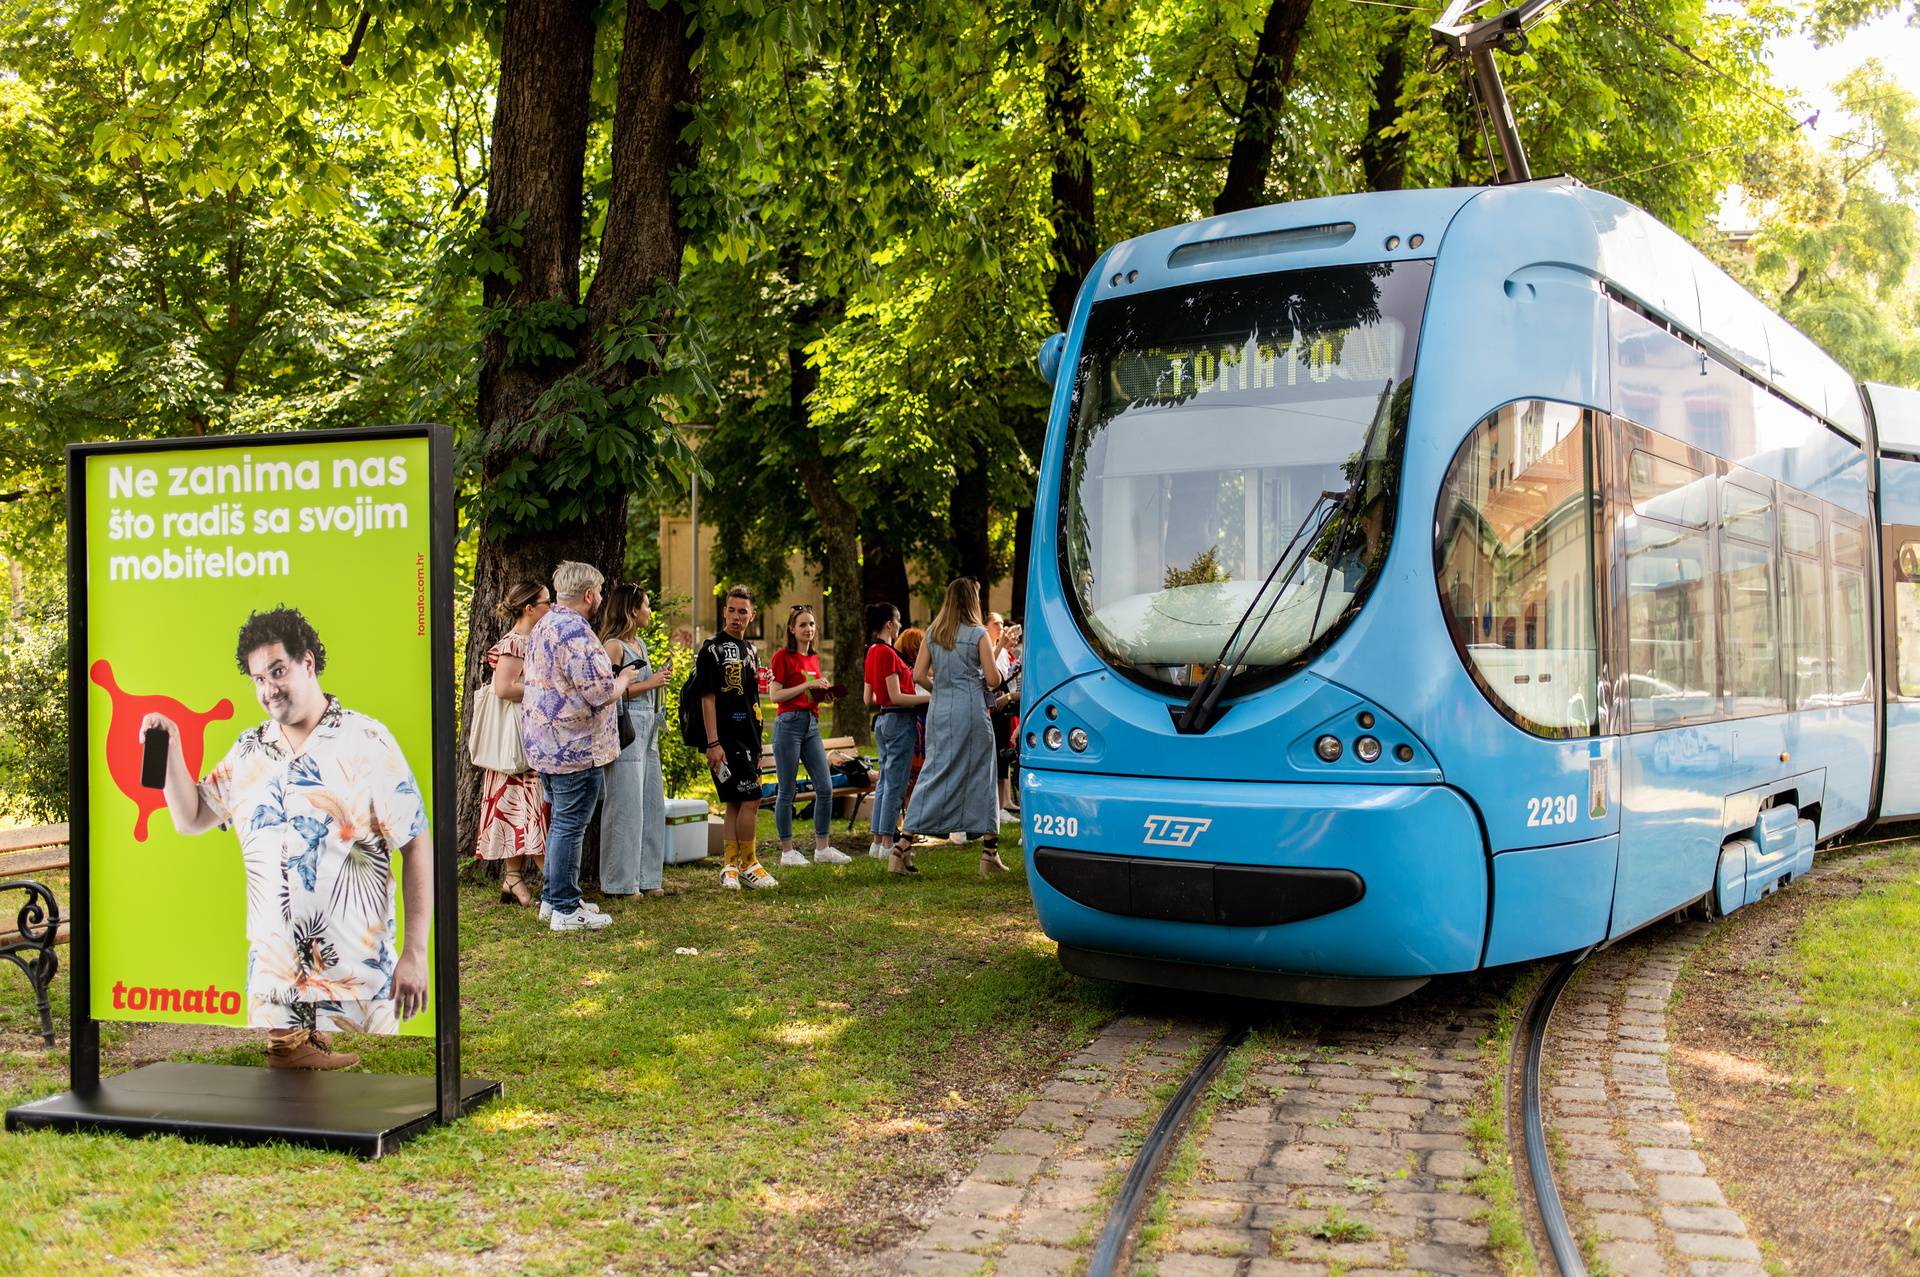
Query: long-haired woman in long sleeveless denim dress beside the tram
[[957, 786]]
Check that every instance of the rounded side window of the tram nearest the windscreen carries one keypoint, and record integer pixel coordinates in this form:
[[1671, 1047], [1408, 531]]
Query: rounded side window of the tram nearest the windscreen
[[1516, 566]]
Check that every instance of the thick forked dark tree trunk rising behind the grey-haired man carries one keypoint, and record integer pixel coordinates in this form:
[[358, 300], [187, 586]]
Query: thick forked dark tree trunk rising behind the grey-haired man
[[540, 141]]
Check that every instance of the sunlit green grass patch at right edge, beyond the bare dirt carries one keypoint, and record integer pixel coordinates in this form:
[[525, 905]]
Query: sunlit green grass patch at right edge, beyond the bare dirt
[[1861, 1023]]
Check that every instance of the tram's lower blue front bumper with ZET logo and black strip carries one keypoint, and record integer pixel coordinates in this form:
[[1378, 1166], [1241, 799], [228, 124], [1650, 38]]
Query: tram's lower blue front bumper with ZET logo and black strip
[[1376, 882]]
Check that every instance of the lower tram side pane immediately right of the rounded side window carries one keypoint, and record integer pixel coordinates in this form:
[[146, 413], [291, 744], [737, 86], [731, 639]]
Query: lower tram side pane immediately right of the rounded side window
[[1669, 625]]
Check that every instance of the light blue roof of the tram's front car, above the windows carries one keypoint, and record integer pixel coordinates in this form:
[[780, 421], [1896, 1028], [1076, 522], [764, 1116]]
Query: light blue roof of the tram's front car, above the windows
[[1595, 233]]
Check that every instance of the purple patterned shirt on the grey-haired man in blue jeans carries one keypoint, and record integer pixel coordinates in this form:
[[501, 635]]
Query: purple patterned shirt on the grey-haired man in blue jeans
[[569, 706]]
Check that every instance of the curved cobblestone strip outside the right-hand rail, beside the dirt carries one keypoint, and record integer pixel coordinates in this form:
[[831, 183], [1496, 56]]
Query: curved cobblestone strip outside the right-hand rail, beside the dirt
[[1637, 1190]]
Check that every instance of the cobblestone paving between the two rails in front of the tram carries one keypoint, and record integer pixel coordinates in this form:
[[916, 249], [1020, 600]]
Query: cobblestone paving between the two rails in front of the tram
[[1347, 1151]]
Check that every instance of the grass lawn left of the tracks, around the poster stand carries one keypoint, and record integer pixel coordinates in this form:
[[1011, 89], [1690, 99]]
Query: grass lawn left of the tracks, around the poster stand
[[767, 1103]]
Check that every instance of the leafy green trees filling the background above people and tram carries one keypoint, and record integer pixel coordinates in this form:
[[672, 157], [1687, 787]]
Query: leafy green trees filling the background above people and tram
[[832, 235]]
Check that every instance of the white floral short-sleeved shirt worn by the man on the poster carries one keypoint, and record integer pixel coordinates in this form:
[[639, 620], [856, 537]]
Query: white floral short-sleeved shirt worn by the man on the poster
[[318, 838]]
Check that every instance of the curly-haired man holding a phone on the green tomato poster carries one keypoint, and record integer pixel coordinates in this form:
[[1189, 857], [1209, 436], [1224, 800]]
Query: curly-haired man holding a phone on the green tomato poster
[[320, 798]]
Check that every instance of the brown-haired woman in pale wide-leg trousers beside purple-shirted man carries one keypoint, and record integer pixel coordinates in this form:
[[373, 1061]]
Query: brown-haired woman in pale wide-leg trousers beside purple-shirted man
[[635, 804]]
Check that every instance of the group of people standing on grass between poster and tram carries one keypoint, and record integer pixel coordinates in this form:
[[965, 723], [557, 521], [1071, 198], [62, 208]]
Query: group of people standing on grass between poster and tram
[[573, 662]]
